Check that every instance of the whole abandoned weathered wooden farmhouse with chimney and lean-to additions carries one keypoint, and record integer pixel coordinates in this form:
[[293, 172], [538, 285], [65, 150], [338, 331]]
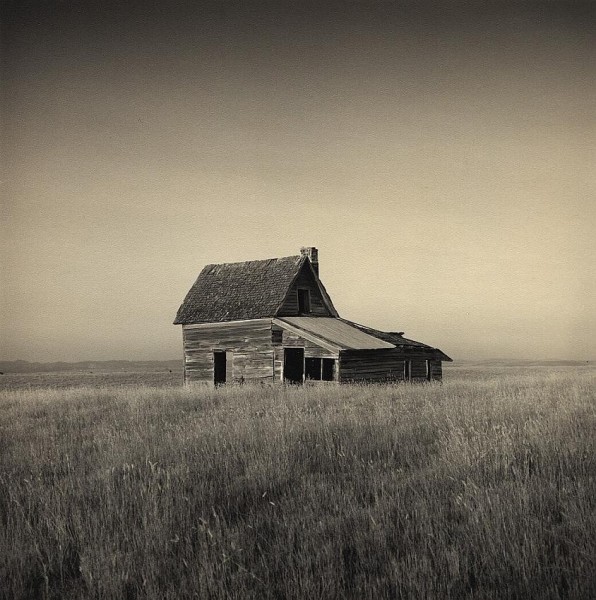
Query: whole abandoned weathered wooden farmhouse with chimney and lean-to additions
[[272, 320]]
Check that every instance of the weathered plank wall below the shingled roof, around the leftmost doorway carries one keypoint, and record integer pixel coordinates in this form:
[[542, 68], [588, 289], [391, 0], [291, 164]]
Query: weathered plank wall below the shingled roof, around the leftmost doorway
[[249, 352]]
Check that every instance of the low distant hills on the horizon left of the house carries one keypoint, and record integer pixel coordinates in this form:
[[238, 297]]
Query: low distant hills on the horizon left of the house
[[24, 366]]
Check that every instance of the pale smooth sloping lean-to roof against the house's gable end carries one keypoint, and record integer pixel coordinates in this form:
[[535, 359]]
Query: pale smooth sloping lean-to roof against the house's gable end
[[336, 332]]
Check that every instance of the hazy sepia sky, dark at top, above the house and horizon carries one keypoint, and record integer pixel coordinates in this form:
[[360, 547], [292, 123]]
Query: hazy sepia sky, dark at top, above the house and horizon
[[441, 159]]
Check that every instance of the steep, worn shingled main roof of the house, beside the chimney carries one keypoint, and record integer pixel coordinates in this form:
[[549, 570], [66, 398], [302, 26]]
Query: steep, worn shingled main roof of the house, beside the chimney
[[244, 290]]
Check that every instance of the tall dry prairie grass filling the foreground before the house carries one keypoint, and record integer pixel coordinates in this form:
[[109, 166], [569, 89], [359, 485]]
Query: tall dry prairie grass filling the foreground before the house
[[484, 489]]
